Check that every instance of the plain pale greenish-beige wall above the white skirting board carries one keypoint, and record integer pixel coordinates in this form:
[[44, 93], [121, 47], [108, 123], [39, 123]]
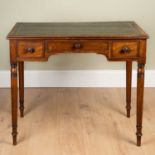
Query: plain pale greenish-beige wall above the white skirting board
[[12, 11]]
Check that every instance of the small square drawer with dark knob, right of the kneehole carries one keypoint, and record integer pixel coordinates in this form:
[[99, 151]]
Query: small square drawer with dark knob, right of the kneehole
[[125, 49]]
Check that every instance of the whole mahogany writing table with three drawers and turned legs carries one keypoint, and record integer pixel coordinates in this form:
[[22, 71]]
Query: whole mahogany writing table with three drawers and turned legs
[[118, 41]]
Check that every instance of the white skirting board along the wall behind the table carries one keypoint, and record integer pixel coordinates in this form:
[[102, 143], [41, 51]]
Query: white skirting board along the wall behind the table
[[77, 78]]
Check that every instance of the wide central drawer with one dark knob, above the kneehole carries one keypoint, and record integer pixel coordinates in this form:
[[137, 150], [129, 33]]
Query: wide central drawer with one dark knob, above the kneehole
[[59, 46]]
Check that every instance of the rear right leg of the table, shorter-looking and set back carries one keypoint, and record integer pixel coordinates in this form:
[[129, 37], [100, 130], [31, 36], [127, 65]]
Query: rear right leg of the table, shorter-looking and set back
[[128, 86]]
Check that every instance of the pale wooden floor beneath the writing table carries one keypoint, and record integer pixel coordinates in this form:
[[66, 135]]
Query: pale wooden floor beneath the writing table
[[77, 121]]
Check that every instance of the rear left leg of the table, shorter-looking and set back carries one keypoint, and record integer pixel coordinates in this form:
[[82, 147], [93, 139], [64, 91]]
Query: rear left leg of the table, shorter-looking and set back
[[21, 87]]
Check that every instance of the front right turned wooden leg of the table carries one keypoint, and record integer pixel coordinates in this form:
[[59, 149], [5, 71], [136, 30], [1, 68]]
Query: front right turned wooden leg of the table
[[140, 94]]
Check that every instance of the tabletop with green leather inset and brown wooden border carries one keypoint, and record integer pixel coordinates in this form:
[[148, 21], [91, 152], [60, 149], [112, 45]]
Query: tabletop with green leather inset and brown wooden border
[[83, 29]]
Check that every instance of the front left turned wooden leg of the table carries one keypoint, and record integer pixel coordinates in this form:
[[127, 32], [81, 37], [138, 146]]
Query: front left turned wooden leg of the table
[[14, 96]]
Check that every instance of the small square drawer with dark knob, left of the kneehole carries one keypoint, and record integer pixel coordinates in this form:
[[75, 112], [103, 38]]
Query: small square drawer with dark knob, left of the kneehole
[[30, 49]]
